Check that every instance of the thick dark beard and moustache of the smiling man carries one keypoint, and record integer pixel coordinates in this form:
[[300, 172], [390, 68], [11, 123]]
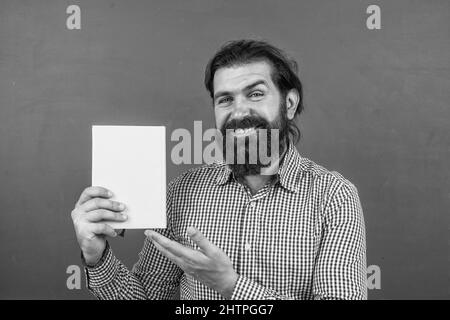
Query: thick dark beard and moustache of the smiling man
[[242, 161]]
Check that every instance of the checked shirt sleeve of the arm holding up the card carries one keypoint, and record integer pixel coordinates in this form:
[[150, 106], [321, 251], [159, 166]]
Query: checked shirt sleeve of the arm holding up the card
[[152, 277]]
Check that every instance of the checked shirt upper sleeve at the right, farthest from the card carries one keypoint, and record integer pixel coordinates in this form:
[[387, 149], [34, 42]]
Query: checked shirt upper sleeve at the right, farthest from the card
[[340, 271]]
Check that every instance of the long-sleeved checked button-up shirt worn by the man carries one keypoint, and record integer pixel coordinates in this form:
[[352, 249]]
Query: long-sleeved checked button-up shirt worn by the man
[[299, 237]]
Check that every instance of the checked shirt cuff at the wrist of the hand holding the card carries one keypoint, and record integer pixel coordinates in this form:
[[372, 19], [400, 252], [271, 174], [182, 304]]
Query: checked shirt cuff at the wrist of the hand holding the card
[[103, 272]]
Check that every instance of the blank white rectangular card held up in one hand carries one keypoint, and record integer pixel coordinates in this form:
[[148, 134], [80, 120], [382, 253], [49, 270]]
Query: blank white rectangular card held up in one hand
[[131, 162]]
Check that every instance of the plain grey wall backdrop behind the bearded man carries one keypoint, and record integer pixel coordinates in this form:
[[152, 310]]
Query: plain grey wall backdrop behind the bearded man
[[377, 111]]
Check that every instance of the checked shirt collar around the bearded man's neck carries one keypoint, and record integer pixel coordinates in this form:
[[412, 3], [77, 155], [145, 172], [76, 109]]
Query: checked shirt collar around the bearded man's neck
[[289, 172]]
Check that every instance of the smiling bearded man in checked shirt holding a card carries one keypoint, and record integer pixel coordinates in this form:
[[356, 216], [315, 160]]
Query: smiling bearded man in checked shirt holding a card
[[286, 228]]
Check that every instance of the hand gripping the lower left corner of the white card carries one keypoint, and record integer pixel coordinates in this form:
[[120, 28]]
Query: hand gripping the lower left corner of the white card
[[88, 216]]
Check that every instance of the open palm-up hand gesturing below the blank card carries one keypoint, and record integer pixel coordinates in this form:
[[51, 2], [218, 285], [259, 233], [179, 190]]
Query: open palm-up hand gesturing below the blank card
[[209, 265]]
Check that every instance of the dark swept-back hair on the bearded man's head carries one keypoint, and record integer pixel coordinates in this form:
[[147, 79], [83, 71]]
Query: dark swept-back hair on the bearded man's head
[[283, 70]]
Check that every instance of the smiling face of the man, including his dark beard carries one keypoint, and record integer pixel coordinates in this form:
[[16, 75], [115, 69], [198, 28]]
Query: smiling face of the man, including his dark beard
[[246, 100]]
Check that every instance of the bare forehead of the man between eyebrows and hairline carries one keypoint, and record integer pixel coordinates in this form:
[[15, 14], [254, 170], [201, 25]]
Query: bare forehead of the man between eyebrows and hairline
[[236, 77]]
